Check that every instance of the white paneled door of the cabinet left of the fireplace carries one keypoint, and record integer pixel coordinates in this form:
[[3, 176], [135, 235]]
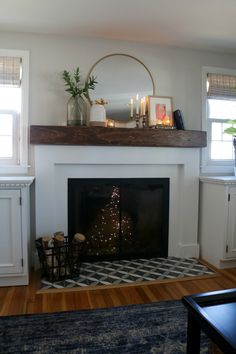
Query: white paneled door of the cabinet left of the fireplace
[[10, 232]]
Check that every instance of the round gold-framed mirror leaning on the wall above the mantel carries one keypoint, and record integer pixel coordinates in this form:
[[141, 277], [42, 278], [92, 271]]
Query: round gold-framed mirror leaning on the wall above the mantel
[[120, 78]]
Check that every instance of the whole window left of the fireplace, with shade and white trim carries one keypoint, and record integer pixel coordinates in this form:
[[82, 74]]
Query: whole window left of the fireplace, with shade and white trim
[[13, 111]]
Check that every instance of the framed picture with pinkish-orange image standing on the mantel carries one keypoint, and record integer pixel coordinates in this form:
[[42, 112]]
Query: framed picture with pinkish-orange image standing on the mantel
[[160, 111]]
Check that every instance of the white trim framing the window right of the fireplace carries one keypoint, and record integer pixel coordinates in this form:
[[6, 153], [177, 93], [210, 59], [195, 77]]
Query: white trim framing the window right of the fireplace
[[207, 166]]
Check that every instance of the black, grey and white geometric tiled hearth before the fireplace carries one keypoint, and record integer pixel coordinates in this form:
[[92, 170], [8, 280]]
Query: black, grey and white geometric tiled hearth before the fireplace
[[131, 271]]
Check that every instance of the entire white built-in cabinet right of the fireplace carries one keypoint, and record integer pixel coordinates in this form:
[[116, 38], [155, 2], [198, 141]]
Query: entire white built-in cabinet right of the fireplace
[[217, 221]]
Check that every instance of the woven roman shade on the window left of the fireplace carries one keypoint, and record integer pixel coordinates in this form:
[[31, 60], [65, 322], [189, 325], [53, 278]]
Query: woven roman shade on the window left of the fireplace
[[10, 71]]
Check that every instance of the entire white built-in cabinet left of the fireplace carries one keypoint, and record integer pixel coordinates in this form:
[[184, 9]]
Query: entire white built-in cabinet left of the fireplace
[[14, 230]]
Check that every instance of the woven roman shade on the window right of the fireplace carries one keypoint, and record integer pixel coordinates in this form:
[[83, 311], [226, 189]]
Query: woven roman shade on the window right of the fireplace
[[221, 87]]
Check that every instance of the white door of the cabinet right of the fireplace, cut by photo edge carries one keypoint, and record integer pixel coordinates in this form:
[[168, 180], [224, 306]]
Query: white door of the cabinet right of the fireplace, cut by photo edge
[[231, 232]]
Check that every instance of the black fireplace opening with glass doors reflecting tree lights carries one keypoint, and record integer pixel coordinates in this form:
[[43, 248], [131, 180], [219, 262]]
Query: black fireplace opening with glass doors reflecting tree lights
[[120, 217]]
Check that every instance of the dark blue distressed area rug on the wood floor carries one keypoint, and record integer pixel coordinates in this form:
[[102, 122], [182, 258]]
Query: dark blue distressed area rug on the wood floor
[[150, 328]]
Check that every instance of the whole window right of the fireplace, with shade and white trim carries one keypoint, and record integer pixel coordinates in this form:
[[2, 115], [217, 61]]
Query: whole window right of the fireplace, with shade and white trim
[[219, 106]]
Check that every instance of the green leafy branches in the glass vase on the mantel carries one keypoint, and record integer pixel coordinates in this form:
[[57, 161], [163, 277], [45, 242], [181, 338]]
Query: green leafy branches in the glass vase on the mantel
[[73, 83]]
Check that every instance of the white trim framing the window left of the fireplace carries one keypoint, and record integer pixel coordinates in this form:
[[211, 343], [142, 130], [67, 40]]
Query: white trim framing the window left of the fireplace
[[22, 167]]
